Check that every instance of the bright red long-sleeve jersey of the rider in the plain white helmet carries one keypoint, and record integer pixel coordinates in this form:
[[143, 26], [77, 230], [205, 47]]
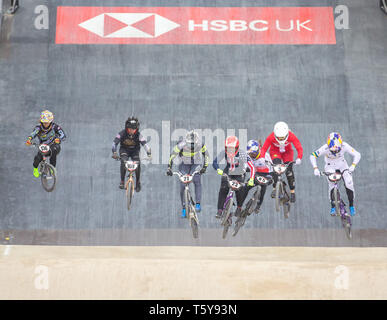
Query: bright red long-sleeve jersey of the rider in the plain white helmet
[[285, 151]]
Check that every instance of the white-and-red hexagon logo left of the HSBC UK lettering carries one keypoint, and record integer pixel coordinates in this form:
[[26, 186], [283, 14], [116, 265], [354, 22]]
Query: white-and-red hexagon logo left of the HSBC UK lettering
[[129, 25]]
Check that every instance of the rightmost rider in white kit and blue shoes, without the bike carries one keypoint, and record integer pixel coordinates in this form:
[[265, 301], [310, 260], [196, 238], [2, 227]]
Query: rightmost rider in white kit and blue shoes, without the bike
[[334, 151]]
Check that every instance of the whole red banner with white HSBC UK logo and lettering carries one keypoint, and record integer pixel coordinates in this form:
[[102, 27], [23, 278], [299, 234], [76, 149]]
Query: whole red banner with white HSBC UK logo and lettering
[[195, 25]]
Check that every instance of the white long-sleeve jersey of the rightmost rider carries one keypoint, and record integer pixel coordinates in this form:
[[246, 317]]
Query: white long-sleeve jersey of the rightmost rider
[[332, 158]]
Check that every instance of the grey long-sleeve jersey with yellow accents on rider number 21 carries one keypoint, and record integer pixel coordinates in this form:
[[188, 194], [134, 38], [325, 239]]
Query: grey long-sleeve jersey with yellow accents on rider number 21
[[190, 155]]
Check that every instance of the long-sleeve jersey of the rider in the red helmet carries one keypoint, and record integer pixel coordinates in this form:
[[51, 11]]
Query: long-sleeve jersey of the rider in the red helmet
[[236, 165]]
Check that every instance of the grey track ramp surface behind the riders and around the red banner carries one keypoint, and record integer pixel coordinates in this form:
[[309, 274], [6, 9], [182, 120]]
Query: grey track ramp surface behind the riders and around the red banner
[[92, 89]]
